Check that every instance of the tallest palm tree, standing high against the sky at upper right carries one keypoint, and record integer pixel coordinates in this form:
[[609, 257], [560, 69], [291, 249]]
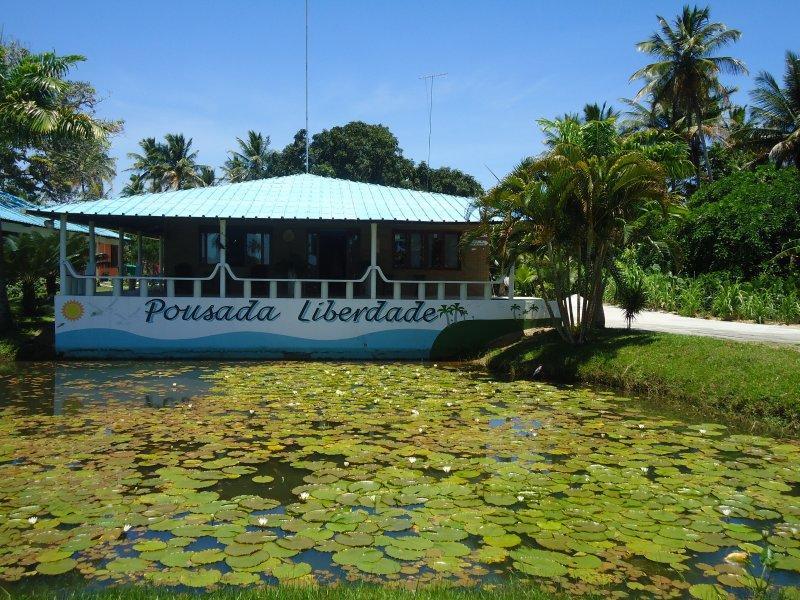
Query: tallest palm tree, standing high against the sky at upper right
[[686, 72]]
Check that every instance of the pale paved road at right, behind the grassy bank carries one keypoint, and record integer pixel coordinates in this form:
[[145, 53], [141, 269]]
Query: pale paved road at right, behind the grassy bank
[[748, 332]]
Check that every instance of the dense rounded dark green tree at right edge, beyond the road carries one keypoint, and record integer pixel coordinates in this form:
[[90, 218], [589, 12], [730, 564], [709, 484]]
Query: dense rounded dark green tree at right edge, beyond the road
[[741, 222]]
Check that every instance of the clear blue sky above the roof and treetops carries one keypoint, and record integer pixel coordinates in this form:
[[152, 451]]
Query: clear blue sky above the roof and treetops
[[213, 70]]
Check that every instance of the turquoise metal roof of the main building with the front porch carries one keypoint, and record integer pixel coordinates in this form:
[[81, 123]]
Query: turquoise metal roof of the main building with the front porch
[[291, 197]]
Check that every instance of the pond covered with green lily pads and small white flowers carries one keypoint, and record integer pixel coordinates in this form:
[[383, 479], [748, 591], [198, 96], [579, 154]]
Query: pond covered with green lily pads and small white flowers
[[209, 474]]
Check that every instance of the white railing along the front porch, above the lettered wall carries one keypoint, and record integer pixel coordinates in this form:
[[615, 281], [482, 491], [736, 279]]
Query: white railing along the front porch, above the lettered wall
[[156, 285]]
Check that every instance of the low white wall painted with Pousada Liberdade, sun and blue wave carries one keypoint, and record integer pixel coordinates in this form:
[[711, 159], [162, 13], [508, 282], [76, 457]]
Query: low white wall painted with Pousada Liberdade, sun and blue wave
[[281, 327]]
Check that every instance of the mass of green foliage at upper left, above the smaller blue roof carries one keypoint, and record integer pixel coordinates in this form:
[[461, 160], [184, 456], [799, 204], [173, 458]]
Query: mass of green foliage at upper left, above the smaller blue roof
[[51, 141]]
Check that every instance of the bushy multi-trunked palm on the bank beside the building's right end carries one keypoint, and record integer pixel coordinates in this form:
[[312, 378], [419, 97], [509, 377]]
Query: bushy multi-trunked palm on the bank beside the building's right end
[[573, 210]]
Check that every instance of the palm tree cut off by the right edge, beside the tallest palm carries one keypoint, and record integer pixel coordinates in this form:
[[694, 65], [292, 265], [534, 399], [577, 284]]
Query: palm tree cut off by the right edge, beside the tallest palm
[[777, 113]]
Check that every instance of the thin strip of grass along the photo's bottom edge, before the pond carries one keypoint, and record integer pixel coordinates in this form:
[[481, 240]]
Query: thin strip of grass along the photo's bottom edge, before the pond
[[298, 592]]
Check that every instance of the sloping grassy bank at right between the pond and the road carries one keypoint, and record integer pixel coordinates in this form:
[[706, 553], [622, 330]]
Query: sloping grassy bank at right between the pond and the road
[[754, 383]]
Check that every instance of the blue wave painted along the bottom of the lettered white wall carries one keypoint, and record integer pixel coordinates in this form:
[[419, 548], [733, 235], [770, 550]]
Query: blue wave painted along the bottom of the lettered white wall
[[114, 343]]
